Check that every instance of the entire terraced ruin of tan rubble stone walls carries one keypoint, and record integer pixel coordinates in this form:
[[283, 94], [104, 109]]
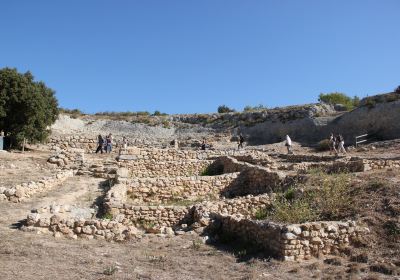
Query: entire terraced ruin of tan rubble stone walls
[[172, 192]]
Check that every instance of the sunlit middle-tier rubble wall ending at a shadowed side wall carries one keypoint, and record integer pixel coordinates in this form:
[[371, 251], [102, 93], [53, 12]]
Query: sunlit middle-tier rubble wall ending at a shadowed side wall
[[173, 189]]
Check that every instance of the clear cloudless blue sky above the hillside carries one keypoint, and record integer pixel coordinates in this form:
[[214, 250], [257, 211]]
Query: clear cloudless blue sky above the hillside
[[191, 56]]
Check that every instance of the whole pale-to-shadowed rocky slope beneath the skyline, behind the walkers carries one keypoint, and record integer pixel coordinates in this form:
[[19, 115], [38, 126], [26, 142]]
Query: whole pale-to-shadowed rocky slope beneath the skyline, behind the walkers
[[378, 116]]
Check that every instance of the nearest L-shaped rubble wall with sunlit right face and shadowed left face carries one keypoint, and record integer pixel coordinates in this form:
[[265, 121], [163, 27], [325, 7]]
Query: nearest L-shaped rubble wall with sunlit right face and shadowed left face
[[291, 242]]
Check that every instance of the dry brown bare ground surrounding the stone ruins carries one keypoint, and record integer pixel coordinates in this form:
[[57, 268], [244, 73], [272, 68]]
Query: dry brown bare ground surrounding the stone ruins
[[25, 255]]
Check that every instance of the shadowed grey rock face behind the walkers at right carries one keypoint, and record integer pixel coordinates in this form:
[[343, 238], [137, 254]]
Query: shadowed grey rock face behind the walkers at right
[[383, 120]]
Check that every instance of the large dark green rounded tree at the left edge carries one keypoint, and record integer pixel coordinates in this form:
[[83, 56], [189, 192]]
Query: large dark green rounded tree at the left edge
[[27, 107]]
